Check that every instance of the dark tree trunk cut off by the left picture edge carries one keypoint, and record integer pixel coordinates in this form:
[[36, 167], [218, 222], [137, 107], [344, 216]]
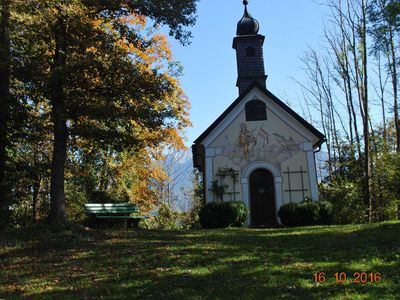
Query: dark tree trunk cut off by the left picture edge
[[4, 106]]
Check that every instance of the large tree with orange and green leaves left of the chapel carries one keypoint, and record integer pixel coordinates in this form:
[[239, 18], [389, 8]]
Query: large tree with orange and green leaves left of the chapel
[[107, 75]]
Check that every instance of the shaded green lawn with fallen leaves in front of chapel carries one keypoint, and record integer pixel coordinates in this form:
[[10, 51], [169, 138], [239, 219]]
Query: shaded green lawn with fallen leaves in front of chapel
[[216, 264]]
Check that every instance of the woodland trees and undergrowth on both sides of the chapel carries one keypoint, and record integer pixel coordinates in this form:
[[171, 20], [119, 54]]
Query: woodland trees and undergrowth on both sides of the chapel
[[91, 109]]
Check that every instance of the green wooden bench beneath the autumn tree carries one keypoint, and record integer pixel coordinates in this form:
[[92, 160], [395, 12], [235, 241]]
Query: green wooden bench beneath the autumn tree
[[100, 213]]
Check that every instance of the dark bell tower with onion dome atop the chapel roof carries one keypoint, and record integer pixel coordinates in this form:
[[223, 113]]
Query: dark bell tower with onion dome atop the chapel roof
[[249, 52]]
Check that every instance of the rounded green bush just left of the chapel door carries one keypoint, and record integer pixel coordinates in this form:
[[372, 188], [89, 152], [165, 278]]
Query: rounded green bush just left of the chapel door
[[223, 214]]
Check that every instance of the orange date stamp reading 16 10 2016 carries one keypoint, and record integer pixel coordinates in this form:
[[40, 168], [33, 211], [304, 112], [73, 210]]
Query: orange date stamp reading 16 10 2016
[[343, 277]]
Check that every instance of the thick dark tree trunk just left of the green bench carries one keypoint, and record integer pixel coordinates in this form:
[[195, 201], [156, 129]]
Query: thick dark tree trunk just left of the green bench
[[57, 197]]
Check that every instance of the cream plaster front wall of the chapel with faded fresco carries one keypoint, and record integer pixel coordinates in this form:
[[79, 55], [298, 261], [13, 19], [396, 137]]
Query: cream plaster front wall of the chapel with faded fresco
[[273, 141]]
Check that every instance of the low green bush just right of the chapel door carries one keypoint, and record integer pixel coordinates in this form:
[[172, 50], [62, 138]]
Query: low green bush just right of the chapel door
[[306, 213]]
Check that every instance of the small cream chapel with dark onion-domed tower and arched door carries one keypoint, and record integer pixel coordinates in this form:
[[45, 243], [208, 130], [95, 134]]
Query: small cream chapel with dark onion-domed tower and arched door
[[258, 151]]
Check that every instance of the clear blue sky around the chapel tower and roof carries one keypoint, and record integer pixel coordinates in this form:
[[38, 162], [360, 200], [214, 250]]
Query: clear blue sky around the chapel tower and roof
[[209, 62]]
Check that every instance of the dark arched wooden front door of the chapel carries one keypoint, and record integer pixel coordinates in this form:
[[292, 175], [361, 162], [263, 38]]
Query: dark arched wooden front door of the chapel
[[262, 198]]
